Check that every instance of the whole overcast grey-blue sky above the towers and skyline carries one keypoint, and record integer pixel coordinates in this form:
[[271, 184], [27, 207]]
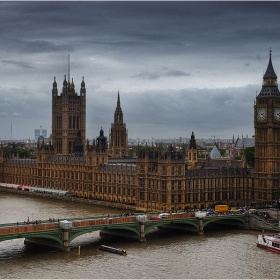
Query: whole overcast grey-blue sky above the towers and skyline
[[179, 66]]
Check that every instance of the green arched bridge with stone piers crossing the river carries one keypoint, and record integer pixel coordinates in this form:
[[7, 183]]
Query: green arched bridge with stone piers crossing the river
[[59, 235]]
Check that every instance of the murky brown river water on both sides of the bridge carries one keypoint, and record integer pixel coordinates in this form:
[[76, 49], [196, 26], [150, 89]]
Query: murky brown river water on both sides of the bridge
[[218, 254]]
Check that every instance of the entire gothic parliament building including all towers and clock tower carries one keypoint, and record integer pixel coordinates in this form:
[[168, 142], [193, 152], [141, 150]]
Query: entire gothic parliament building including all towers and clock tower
[[154, 178]]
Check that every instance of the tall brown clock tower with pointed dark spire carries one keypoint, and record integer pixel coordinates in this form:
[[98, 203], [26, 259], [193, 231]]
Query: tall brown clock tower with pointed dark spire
[[267, 139]]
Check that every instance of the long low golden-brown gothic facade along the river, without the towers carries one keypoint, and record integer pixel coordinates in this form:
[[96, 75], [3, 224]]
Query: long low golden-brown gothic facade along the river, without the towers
[[157, 180]]
